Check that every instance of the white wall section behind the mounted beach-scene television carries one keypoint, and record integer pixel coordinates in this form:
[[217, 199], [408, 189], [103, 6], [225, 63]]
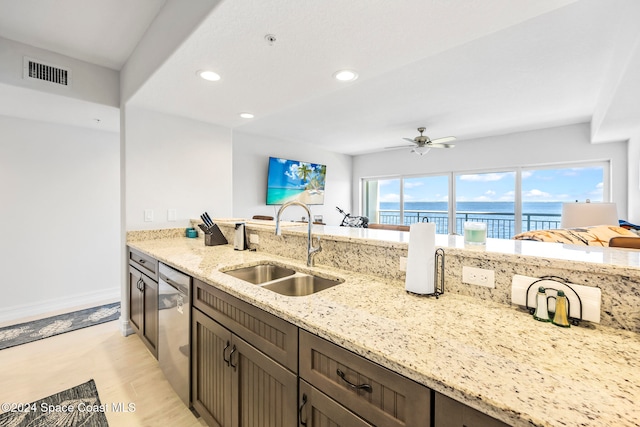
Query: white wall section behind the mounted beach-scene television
[[250, 164]]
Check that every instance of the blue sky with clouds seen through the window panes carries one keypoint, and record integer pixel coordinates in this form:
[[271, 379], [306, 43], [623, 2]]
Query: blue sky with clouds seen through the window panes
[[540, 185]]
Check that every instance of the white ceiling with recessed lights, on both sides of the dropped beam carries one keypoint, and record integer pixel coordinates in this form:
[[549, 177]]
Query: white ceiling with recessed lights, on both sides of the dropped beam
[[458, 67]]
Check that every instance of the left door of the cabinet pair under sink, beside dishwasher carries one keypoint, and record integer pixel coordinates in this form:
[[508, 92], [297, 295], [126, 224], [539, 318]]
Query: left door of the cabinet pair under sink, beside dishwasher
[[210, 371]]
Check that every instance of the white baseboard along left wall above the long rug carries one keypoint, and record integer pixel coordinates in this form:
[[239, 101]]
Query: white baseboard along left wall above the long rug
[[55, 306]]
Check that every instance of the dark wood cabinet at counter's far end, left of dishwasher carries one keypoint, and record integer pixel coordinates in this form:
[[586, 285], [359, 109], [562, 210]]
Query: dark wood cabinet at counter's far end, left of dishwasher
[[143, 302]]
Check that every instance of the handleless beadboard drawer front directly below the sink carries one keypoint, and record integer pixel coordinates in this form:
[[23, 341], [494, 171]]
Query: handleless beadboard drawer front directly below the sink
[[273, 336]]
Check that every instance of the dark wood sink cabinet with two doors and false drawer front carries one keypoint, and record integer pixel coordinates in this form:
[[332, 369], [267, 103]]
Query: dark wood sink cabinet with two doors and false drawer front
[[235, 383]]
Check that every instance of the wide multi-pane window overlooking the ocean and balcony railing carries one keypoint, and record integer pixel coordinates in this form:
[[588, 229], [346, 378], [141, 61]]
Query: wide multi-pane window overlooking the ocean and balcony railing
[[509, 201]]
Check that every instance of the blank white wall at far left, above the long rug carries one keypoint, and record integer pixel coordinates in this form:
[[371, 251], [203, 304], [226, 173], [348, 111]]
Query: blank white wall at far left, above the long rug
[[59, 193]]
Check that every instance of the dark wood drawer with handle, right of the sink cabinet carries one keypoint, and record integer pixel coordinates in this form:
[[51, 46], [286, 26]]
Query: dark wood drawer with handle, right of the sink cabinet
[[384, 397]]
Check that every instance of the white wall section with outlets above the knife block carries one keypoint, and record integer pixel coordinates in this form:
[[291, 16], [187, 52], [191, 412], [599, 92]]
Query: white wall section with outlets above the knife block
[[175, 163]]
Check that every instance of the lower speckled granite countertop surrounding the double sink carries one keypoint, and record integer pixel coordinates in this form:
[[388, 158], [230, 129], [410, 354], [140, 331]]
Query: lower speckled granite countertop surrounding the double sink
[[490, 356]]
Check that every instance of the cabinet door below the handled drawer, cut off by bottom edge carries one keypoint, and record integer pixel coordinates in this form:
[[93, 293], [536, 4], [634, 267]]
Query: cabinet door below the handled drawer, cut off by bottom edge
[[319, 410]]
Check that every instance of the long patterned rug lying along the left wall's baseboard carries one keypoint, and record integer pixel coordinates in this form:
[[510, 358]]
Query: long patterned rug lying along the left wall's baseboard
[[23, 333]]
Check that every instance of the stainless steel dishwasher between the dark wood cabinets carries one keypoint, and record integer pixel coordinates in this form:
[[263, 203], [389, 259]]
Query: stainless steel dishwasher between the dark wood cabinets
[[174, 318]]
